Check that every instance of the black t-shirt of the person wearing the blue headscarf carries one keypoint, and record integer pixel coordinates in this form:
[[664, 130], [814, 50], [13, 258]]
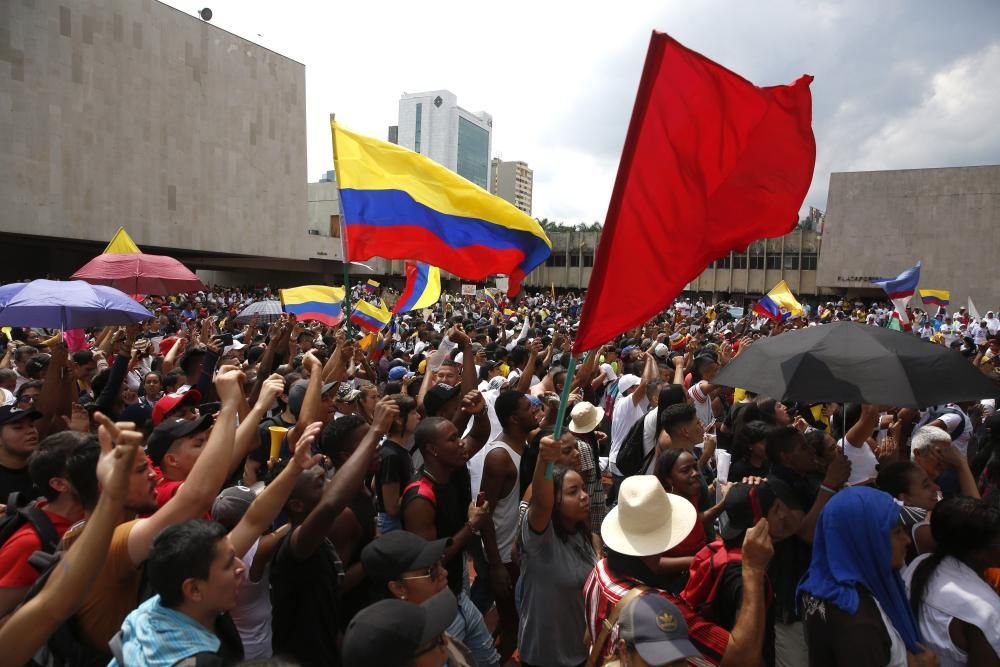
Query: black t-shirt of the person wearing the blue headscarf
[[838, 639]]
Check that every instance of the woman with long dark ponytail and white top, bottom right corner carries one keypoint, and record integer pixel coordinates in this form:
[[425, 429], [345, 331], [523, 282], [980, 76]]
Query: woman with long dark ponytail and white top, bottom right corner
[[958, 612]]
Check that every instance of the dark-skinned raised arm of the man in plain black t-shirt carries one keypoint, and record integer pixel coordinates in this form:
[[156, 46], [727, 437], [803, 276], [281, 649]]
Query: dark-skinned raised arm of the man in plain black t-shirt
[[345, 484]]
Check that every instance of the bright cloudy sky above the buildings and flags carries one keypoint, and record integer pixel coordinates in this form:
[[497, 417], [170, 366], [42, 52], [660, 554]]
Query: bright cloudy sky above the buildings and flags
[[899, 83]]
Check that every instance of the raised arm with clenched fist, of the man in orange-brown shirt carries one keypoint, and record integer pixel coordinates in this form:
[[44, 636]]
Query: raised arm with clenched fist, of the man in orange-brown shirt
[[195, 496]]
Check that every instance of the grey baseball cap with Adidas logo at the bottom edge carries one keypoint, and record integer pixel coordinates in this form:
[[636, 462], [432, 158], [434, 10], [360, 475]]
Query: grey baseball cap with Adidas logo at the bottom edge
[[657, 630]]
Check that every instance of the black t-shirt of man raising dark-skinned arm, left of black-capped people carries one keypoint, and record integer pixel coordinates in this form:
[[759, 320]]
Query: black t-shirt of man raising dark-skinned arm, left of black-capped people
[[305, 603]]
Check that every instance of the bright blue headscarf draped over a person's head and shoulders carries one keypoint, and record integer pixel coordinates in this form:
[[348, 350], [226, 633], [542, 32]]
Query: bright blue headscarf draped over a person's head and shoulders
[[851, 548]]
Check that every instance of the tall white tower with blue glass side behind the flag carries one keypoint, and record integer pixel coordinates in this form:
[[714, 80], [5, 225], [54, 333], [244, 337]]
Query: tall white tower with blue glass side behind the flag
[[433, 124]]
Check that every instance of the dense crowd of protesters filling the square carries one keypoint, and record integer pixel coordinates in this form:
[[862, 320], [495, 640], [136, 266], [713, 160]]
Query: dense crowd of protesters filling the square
[[201, 491]]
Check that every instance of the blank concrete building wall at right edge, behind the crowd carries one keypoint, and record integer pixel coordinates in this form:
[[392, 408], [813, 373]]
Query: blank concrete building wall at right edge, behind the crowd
[[880, 223]]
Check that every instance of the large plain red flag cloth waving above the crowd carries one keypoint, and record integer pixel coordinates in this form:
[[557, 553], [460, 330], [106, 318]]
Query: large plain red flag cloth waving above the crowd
[[711, 163]]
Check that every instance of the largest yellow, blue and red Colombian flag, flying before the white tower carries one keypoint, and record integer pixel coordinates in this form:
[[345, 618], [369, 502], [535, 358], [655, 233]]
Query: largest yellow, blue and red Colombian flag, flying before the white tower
[[401, 205]]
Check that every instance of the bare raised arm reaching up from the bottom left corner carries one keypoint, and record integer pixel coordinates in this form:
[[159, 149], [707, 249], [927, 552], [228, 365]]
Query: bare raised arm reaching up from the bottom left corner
[[27, 628]]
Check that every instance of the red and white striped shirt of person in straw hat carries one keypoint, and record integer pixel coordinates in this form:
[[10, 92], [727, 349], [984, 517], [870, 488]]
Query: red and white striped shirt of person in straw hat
[[604, 589]]
